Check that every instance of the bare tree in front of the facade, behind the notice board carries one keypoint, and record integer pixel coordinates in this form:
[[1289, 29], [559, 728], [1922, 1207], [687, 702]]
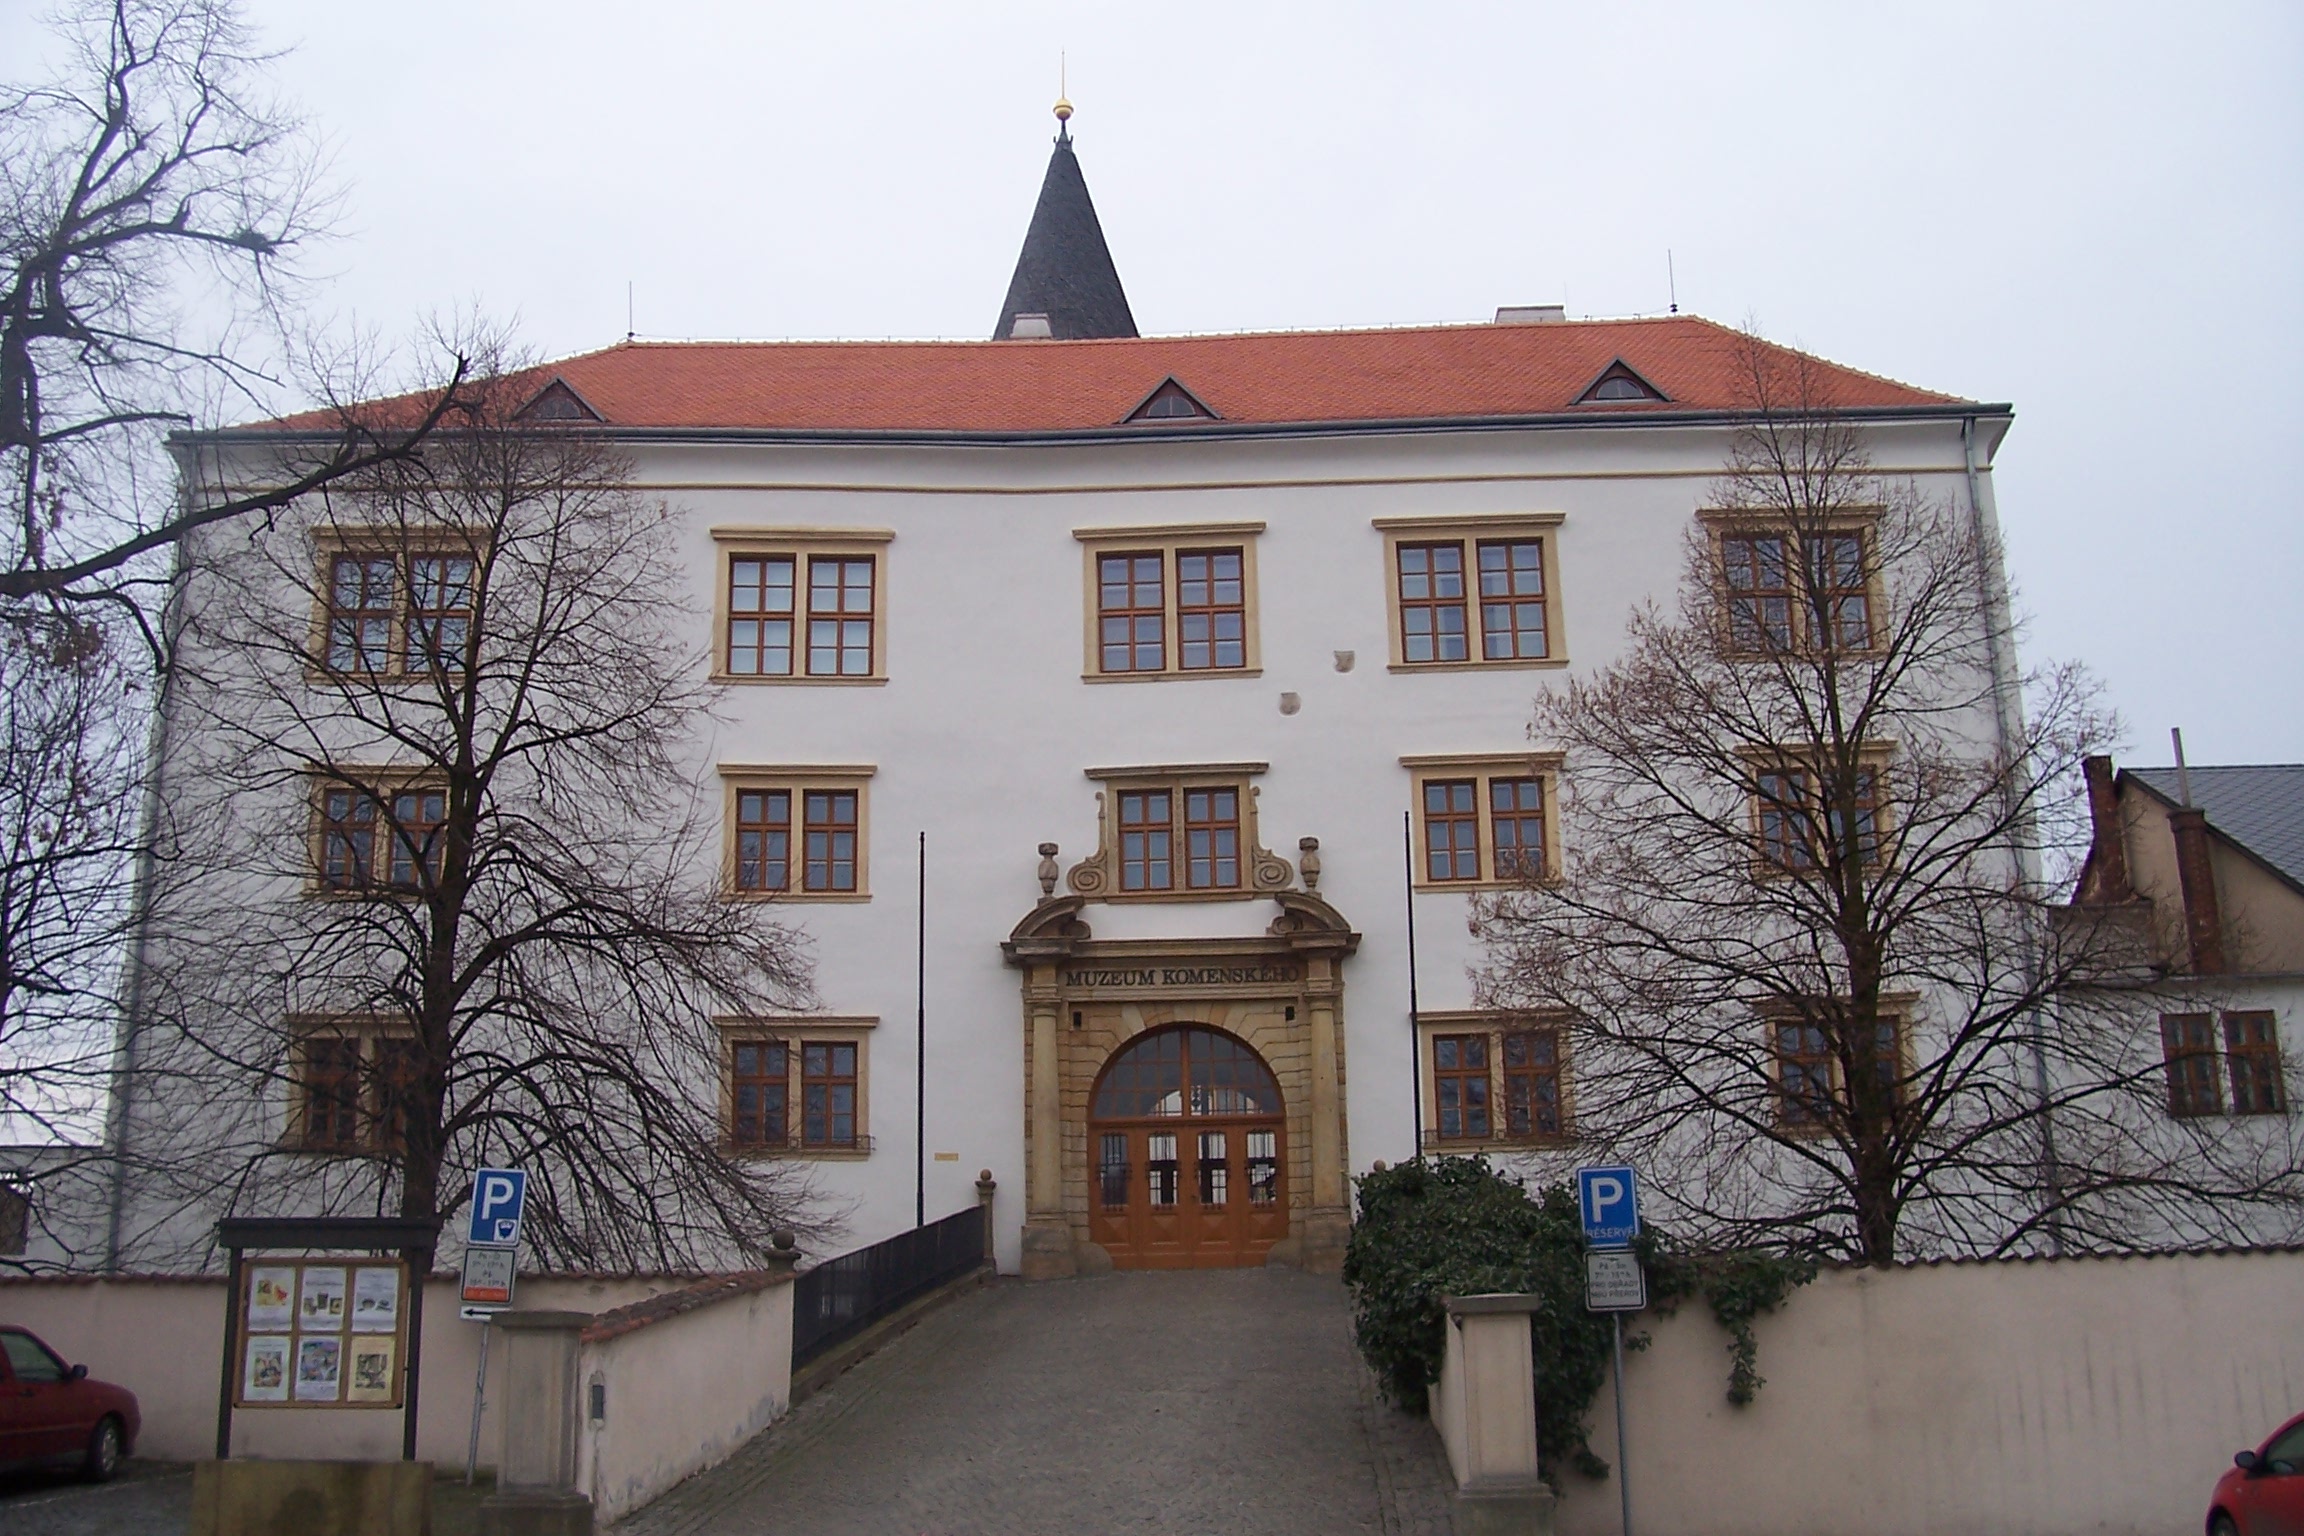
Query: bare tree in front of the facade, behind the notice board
[[455, 897]]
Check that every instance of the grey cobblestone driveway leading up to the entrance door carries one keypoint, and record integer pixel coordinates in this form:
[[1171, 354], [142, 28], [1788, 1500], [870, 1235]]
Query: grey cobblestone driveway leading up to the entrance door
[[1167, 1404]]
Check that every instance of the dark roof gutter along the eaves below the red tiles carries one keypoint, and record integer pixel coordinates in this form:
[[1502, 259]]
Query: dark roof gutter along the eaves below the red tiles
[[1204, 432]]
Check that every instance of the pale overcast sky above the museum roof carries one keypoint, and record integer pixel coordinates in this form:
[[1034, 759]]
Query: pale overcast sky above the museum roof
[[2091, 211]]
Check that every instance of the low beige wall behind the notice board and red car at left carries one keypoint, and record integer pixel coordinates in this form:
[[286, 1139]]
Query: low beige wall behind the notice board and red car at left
[[165, 1341]]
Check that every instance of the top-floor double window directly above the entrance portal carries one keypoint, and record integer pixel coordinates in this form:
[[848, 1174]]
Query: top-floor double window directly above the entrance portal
[[1172, 611]]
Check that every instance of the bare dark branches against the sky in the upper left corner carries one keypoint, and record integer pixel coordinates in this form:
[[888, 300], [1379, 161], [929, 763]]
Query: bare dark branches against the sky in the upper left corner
[[153, 208]]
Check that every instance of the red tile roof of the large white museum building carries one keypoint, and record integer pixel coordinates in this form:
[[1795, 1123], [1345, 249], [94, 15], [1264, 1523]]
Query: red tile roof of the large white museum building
[[1414, 374]]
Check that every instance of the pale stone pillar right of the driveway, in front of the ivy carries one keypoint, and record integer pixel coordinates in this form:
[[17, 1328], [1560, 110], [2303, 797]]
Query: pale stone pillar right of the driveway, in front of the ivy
[[1485, 1408]]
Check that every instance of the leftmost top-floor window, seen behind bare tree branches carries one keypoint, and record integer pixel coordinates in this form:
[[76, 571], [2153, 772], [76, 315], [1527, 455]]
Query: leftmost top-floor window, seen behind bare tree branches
[[409, 614]]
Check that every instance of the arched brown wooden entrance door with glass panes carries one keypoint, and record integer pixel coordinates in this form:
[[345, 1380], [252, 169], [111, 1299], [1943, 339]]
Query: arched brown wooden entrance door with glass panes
[[1188, 1153]]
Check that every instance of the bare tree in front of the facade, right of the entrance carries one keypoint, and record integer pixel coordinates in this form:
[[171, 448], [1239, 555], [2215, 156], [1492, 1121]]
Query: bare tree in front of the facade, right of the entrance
[[1805, 952]]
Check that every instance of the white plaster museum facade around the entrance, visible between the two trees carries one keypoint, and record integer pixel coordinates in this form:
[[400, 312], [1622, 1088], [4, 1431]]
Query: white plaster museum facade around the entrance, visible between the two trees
[[985, 722]]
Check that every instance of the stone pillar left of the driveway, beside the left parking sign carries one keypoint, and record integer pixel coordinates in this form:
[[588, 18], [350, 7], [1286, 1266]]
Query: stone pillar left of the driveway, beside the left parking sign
[[536, 1466]]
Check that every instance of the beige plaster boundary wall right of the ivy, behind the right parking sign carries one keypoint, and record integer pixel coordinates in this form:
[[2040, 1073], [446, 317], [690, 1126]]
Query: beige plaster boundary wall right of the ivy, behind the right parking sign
[[2022, 1399]]
